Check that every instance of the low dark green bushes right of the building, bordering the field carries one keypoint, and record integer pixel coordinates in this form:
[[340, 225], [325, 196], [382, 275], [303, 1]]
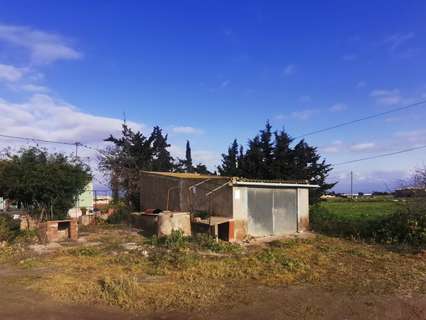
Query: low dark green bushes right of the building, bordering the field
[[405, 226]]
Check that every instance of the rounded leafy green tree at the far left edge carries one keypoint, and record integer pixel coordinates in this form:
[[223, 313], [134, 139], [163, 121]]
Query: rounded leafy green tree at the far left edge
[[43, 182]]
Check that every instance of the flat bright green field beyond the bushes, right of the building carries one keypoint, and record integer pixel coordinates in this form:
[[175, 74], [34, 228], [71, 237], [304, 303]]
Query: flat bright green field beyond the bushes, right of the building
[[360, 209]]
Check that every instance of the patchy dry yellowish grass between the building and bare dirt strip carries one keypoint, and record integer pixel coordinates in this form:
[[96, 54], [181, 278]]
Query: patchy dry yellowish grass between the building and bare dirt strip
[[184, 278]]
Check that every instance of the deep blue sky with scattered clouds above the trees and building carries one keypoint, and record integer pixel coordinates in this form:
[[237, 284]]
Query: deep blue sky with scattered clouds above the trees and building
[[212, 71]]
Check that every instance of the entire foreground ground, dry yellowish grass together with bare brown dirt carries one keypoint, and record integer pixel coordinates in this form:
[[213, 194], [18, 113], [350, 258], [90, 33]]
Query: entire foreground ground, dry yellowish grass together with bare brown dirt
[[312, 278]]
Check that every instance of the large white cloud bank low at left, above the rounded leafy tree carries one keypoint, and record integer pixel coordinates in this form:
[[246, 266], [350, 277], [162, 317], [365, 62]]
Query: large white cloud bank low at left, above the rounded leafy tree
[[44, 117]]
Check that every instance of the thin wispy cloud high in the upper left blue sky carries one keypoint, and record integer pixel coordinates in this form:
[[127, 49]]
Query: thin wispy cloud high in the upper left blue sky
[[44, 47]]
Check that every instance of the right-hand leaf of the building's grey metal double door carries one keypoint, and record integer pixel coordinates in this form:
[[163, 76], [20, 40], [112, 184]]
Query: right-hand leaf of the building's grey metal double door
[[284, 211]]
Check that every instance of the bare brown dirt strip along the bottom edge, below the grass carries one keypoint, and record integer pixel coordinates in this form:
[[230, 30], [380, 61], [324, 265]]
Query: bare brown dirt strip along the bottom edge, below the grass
[[17, 303]]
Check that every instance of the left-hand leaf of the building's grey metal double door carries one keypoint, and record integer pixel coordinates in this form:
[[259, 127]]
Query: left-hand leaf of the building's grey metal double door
[[259, 207]]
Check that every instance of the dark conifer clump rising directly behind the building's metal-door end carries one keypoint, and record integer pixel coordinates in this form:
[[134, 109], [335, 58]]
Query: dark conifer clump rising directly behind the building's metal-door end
[[271, 157]]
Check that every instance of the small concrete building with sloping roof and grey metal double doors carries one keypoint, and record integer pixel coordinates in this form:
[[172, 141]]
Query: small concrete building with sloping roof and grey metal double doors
[[255, 207]]
